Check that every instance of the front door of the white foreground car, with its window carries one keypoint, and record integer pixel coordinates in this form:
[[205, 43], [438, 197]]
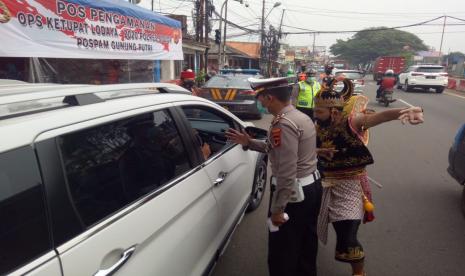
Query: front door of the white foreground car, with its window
[[229, 166]]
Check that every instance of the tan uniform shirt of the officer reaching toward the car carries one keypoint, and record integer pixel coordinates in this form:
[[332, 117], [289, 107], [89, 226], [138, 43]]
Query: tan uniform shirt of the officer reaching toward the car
[[291, 146]]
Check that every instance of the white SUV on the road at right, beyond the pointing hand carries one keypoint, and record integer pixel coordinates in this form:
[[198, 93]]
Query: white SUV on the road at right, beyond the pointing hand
[[425, 77]]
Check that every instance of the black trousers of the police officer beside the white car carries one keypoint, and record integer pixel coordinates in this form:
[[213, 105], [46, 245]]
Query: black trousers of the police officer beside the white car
[[293, 249]]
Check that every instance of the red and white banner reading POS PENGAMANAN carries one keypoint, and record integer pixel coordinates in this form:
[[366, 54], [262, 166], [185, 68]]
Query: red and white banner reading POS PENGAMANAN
[[103, 29]]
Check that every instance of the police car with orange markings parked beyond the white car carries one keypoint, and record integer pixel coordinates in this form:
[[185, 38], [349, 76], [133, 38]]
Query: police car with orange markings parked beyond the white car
[[232, 91]]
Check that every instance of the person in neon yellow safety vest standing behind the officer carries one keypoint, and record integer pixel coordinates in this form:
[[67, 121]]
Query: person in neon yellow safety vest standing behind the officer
[[307, 89]]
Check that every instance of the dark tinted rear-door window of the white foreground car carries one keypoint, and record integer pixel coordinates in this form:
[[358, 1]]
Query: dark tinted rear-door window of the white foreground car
[[111, 165]]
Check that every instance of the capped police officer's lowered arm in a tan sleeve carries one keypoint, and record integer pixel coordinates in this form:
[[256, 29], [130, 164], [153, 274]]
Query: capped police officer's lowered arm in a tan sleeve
[[286, 164]]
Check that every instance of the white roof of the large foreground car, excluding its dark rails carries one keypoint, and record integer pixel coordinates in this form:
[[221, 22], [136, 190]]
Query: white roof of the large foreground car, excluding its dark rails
[[22, 130]]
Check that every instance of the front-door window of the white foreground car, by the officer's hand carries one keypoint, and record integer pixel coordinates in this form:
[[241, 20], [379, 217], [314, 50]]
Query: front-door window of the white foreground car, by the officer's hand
[[208, 126]]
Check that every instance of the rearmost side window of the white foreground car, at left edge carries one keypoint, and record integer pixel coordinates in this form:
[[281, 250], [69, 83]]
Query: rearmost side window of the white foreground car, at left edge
[[24, 233]]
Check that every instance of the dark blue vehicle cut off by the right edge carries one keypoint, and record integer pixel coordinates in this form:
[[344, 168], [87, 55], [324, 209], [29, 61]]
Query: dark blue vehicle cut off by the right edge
[[457, 161]]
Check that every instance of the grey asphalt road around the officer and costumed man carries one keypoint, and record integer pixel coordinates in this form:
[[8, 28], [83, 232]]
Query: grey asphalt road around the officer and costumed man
[[419, 228]]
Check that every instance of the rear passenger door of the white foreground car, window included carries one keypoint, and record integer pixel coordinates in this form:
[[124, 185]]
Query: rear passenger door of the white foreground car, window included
[[142, 207]]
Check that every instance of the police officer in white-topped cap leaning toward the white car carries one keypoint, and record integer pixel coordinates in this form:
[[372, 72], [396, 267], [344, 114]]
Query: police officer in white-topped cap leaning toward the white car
[[296, 185]]
